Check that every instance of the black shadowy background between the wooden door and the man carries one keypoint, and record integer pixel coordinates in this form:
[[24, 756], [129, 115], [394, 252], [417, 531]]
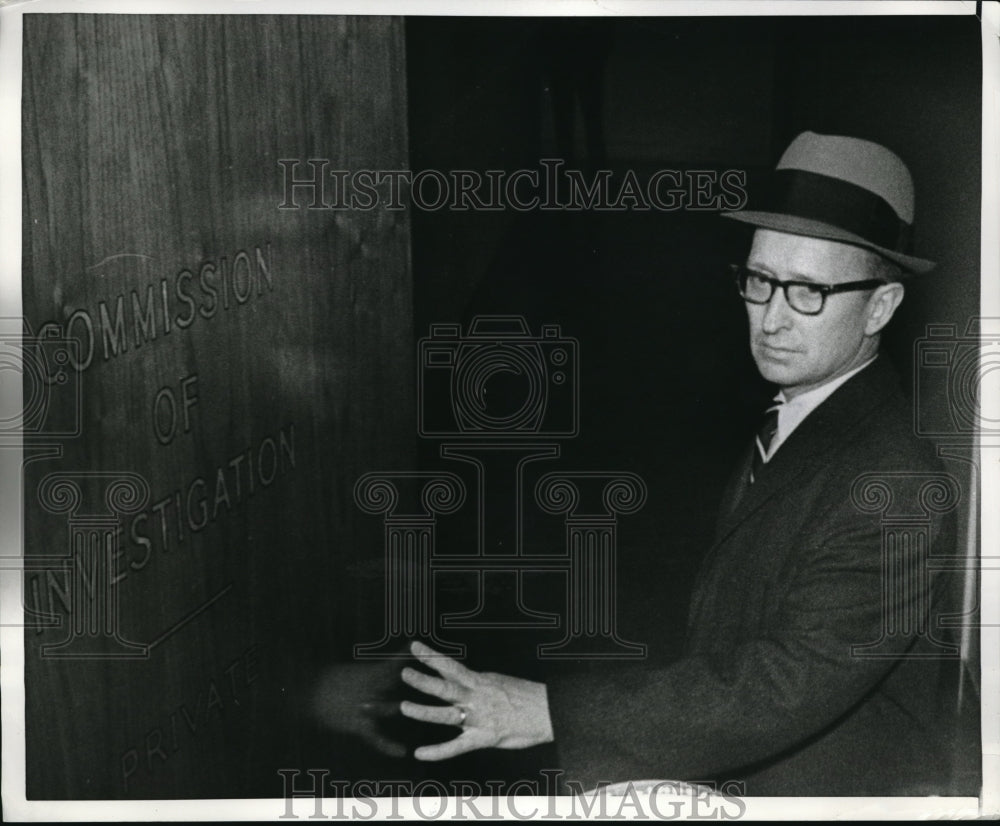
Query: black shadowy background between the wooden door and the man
[[667, 386]]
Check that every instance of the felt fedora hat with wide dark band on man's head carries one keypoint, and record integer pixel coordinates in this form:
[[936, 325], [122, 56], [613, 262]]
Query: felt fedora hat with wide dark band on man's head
[[841, 189]]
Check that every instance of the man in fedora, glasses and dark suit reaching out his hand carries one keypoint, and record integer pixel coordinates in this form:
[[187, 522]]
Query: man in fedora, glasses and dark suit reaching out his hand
[[798, 676]]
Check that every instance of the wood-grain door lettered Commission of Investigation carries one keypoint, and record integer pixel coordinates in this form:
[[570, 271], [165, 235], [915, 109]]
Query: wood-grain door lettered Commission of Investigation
[[248, 362]]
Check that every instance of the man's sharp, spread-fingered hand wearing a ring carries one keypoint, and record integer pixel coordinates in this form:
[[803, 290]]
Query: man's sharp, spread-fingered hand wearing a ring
[[493, 710]]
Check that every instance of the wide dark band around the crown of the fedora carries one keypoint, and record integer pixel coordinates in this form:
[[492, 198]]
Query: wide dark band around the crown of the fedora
[[840, 203]]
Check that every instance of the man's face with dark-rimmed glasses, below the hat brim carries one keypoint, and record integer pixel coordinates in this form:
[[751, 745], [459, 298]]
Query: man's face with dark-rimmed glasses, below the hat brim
[[799, 352]]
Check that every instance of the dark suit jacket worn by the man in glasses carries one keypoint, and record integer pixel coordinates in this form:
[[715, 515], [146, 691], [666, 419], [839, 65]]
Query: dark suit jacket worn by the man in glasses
[[768, 691]]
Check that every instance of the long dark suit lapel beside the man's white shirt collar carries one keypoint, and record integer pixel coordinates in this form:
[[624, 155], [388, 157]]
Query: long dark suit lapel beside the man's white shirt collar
[[807, 448]]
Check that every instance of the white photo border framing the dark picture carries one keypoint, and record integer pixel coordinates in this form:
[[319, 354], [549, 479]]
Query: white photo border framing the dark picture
[[16, 807]]
